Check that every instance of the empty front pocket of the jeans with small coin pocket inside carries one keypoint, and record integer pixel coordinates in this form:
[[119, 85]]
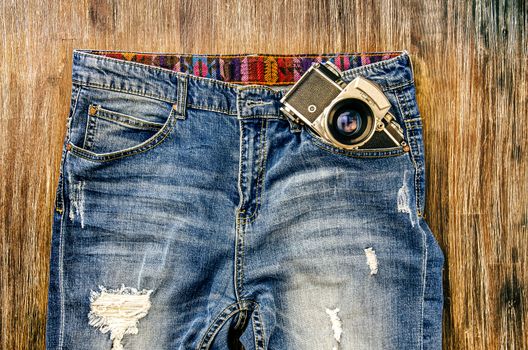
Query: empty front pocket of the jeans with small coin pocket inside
[[109, 124]]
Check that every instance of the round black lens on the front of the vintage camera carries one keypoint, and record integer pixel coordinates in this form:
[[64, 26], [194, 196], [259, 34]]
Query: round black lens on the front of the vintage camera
[[350, 121]]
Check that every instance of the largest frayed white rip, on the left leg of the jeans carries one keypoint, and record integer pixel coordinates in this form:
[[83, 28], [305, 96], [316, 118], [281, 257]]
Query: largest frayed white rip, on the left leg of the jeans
[[118, 311]]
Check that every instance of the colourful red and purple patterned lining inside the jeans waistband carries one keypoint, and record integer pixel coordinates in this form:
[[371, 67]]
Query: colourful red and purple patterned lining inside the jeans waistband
[[265, 69]]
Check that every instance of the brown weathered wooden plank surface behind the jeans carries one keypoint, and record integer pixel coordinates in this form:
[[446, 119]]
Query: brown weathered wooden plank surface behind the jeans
[[470, 59]]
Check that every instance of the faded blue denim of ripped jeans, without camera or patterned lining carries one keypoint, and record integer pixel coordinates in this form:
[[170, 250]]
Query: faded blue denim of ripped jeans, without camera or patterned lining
[[191, 214]]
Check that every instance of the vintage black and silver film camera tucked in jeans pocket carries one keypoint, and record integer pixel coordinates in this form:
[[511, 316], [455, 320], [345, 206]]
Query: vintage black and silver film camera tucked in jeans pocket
[[350, 116]]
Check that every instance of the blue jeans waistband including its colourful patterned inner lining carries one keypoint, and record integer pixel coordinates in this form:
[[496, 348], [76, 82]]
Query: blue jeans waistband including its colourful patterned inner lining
[[242, 85]]
